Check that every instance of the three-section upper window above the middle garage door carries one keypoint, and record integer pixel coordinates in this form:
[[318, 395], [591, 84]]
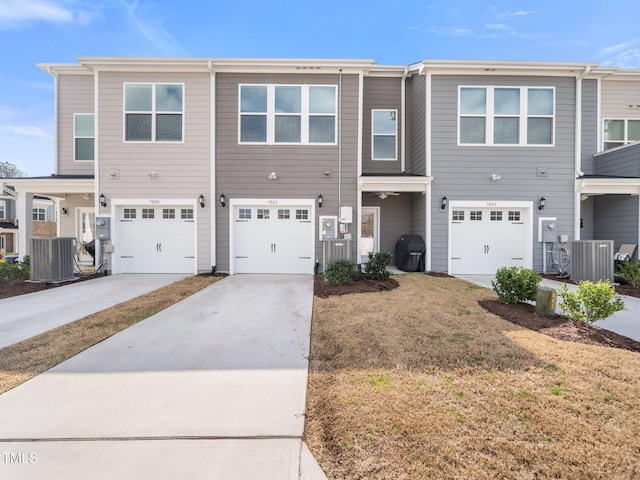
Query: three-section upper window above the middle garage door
[[288, 114]]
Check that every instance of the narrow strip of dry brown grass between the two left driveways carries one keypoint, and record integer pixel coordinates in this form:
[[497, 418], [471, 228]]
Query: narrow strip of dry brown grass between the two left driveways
[[25, 360]]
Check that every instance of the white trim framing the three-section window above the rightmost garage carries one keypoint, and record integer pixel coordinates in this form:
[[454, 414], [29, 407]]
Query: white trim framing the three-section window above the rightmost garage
[[523, 116]]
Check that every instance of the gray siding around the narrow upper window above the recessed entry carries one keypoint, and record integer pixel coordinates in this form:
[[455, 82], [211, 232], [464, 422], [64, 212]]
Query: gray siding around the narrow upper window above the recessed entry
[[380, 93]]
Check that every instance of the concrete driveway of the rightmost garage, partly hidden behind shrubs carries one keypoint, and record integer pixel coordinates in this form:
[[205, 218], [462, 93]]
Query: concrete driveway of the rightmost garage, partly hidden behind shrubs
[[625, 322]]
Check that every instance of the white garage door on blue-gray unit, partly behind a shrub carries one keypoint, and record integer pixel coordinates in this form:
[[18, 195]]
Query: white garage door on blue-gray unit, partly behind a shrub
[[486, 239]]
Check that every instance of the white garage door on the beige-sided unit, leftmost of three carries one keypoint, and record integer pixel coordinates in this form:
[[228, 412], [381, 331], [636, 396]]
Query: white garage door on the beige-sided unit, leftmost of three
[[155, 239]]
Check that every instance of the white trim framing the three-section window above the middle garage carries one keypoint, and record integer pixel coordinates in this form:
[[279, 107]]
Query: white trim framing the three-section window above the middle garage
[[304, 114]]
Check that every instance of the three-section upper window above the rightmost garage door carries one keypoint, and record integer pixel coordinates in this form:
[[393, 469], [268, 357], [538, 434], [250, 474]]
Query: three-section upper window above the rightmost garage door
[[506, 116]]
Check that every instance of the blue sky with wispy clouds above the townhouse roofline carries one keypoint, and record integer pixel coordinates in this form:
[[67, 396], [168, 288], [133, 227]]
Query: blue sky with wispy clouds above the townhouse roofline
[[397, 33]]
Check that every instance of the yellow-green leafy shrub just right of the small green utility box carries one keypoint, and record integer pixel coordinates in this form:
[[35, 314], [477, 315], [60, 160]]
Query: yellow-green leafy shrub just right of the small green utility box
[[591, 302]]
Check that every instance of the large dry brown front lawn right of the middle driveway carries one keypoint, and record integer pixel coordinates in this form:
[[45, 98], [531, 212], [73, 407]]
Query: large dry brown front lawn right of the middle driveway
[[422, 383]]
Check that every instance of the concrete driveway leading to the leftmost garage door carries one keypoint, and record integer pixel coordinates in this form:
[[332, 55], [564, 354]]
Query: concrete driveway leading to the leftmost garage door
[[32, 314]]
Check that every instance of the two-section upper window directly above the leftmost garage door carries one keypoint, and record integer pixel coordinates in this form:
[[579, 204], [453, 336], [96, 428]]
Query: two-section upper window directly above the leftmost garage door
[[153, 112]]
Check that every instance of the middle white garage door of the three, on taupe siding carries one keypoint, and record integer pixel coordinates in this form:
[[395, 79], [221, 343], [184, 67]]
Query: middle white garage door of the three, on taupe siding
[[272, 239]]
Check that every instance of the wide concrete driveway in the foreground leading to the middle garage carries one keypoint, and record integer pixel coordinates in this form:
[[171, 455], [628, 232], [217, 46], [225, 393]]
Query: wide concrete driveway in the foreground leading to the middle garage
[[212, 387]]
